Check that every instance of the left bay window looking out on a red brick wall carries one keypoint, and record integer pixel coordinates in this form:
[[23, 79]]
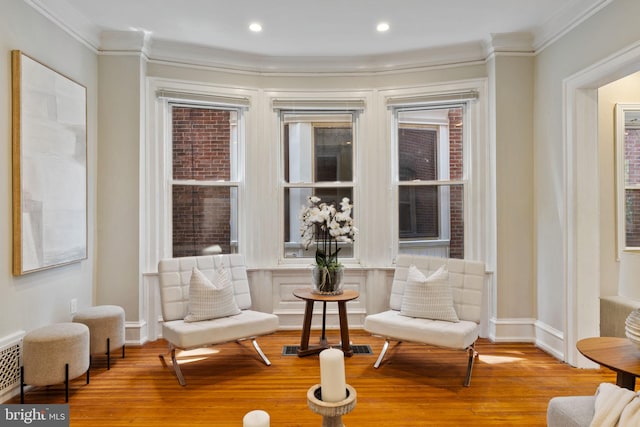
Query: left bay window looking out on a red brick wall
[[204, 177]]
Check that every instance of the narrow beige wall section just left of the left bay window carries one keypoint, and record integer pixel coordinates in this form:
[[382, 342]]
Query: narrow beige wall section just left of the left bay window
[[121, 133]]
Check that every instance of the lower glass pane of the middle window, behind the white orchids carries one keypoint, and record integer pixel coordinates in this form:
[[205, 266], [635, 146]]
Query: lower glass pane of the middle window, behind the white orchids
[[295, 200]]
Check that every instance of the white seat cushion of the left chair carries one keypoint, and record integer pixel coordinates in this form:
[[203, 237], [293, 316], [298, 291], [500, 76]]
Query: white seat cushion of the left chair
[[248, 323]]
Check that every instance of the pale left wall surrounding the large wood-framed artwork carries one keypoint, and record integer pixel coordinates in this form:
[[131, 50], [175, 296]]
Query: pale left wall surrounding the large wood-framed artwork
[[40, 298]]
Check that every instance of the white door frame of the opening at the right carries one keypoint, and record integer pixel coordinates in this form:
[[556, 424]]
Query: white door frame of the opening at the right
[[582, 227]]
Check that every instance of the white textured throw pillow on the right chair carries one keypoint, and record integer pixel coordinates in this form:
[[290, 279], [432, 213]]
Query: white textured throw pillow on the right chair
[[428, 297]]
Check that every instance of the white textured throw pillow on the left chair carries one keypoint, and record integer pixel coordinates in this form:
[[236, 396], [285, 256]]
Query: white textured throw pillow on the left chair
[[208, 300]]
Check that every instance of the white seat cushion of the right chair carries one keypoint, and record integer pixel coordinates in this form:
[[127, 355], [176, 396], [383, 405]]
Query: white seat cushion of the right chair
[[456, 335]]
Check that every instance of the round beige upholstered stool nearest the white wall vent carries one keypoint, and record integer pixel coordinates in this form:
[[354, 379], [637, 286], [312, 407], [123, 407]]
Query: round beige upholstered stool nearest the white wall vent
[[54, 354]]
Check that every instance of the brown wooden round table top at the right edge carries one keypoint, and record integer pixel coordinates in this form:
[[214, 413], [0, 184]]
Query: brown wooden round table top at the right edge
[[618, 354]]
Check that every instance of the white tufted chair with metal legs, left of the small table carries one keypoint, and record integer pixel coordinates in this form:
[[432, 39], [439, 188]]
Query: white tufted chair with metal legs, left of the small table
[[174, 277]]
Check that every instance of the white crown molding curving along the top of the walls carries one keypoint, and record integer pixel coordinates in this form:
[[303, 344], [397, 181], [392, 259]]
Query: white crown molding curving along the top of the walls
[[181, 54]]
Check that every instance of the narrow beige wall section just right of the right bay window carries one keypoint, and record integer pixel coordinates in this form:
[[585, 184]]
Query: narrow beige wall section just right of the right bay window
[[515, 296]]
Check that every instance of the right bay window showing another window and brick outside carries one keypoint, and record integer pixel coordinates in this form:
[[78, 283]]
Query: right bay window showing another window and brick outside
[[429, 177]]
